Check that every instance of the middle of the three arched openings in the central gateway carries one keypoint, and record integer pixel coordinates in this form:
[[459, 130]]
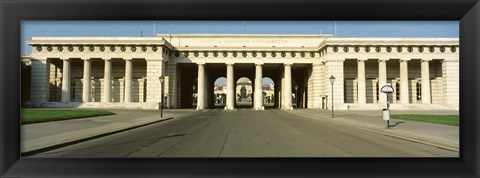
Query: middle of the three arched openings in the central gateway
[[244, 93]]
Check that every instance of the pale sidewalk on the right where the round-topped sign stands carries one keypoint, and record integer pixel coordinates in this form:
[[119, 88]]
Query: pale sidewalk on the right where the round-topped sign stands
[[442, 136]]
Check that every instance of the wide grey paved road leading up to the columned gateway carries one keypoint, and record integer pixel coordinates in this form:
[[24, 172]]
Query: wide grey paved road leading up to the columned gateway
[[247, 133]]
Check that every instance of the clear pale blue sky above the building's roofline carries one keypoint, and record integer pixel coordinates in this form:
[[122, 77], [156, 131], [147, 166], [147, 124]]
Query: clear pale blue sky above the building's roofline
[[425, 29]]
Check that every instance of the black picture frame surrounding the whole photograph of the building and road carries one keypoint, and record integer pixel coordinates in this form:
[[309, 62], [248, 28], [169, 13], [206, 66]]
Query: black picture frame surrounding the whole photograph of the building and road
[[13, 12]]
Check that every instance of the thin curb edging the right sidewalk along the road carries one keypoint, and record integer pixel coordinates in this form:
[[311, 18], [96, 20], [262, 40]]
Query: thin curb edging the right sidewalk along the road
[[388, 133]]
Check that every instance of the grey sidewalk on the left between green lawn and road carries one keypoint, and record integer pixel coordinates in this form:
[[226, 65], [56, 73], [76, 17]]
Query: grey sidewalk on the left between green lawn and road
[[48, 135]]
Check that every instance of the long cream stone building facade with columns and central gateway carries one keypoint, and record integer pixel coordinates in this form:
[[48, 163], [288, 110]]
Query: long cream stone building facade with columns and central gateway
[[103, 72]]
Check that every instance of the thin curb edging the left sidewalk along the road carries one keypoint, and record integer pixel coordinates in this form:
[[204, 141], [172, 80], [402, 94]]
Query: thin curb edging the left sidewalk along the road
[[80, 139]]
